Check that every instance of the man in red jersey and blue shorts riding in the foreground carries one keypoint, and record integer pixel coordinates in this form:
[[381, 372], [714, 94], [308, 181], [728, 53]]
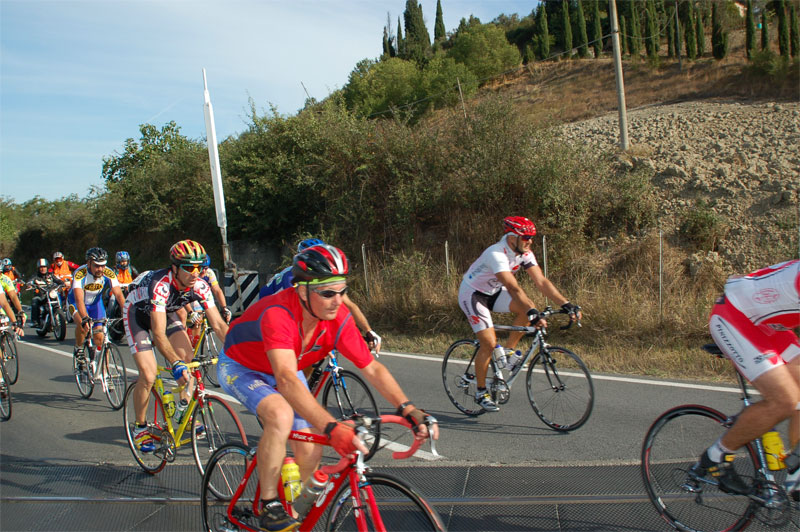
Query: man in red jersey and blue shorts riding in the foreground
[[262, 365]]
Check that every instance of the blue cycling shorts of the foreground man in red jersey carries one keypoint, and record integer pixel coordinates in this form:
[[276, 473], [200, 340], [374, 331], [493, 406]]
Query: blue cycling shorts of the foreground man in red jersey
[[250, 386]]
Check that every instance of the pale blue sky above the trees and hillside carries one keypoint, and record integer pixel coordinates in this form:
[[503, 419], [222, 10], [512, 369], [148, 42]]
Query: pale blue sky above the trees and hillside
[[78, 77]]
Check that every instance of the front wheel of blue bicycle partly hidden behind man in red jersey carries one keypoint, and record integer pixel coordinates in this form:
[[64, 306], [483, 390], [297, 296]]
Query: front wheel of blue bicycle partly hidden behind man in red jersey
[[352, 398]]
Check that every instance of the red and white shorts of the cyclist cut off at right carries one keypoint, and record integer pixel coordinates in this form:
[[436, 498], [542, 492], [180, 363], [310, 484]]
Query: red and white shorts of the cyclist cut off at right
[[753, 349]]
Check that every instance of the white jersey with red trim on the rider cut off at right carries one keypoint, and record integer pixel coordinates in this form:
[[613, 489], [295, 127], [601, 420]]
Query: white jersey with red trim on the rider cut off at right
[[769, 295]]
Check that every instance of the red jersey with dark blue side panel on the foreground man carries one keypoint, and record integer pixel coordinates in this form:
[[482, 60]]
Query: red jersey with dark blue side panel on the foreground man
[[276, 322]]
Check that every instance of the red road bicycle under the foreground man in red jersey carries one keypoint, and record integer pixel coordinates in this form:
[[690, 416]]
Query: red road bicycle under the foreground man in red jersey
[[354, 497]]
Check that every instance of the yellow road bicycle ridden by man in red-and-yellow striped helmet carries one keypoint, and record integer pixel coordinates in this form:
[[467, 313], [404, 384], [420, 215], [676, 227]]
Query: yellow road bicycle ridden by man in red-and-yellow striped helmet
[[207, 423]]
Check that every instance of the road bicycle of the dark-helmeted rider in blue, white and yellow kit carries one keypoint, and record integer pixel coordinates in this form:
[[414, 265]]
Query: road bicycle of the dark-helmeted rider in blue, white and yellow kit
[[107, 367]]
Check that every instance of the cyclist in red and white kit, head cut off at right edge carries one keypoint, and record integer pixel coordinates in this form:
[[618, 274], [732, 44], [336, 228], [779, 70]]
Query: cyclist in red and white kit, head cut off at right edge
[[752, 324]]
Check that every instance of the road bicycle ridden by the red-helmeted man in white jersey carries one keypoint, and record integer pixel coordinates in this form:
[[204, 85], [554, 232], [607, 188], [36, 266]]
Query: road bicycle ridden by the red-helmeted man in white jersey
[[559, 385]]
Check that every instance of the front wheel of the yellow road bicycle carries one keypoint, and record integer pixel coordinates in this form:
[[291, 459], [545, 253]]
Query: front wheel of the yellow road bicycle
[[213, 425]]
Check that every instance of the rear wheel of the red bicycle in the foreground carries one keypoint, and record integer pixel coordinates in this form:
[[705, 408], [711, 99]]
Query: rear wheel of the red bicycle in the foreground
[[224, 471]]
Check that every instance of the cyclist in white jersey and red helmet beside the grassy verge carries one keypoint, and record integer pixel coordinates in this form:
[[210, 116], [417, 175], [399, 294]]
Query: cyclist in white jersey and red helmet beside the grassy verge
[[490, 285]]
